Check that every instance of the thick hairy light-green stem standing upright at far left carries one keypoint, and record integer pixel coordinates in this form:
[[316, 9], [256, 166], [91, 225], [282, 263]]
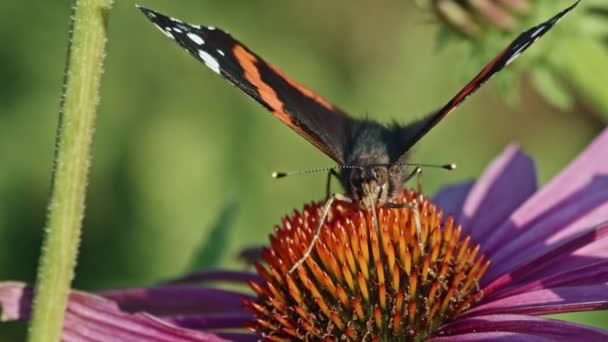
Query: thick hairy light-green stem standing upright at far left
[[71, 165]]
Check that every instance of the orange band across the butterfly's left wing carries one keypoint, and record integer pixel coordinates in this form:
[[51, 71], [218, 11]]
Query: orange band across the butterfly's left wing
[[252, 74]]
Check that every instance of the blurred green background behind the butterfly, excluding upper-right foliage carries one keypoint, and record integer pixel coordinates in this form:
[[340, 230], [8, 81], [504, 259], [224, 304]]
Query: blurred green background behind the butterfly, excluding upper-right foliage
[[175, 145]]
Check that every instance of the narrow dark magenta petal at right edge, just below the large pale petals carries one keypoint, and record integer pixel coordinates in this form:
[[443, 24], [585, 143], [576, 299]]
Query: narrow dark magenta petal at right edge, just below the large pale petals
[[588, 247]]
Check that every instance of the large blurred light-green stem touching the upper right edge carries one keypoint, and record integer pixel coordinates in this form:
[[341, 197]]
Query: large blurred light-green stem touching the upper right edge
[[584, 65]]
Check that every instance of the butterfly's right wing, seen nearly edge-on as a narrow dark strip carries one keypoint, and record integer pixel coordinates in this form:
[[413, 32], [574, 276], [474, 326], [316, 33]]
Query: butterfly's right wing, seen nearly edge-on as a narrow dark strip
[[418, 129]]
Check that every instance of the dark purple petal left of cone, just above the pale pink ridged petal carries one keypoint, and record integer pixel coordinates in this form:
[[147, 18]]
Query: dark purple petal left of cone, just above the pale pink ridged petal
[[177, 300]]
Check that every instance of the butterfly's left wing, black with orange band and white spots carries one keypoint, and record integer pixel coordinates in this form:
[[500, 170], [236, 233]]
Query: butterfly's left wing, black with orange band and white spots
[[307, 113]]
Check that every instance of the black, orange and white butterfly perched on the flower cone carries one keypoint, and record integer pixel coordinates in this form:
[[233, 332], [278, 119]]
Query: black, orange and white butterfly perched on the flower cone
[[372, 157]]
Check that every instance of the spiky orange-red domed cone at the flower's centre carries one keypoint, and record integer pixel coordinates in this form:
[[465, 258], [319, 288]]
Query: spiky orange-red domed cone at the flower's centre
[[359, 281]]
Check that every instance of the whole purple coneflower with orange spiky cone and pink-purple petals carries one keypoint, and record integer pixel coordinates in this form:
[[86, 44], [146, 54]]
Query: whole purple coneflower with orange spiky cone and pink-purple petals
[[497, 254]]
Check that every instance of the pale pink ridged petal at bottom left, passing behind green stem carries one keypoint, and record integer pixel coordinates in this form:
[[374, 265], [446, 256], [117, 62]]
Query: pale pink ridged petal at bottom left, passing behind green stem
[[92, 318]]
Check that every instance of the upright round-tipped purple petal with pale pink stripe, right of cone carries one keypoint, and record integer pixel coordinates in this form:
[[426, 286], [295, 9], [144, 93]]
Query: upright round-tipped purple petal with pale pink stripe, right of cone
[[505, 184]]
